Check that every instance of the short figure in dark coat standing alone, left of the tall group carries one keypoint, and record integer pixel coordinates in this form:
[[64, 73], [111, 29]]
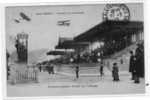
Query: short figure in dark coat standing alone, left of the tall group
[[115, 71]]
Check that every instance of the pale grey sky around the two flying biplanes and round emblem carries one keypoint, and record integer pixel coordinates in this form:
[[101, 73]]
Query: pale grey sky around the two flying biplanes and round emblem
[[43, 30]]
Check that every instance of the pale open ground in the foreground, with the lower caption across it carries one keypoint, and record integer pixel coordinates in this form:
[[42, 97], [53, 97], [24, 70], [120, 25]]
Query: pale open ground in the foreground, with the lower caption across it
[[63, 83]]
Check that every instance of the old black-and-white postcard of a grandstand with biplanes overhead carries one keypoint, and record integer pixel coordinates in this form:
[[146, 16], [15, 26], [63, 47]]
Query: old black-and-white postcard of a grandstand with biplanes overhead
[[74, 49]]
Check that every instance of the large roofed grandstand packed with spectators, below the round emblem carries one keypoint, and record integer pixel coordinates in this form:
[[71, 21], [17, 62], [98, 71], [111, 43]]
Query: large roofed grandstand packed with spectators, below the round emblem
[[105, 39]]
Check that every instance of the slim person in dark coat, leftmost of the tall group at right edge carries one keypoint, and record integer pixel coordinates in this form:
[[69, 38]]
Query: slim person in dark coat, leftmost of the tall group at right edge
[[131, 65]]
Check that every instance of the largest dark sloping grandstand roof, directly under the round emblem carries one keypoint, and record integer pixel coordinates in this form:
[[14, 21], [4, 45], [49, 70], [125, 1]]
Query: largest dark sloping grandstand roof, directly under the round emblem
[[110, 29]]
